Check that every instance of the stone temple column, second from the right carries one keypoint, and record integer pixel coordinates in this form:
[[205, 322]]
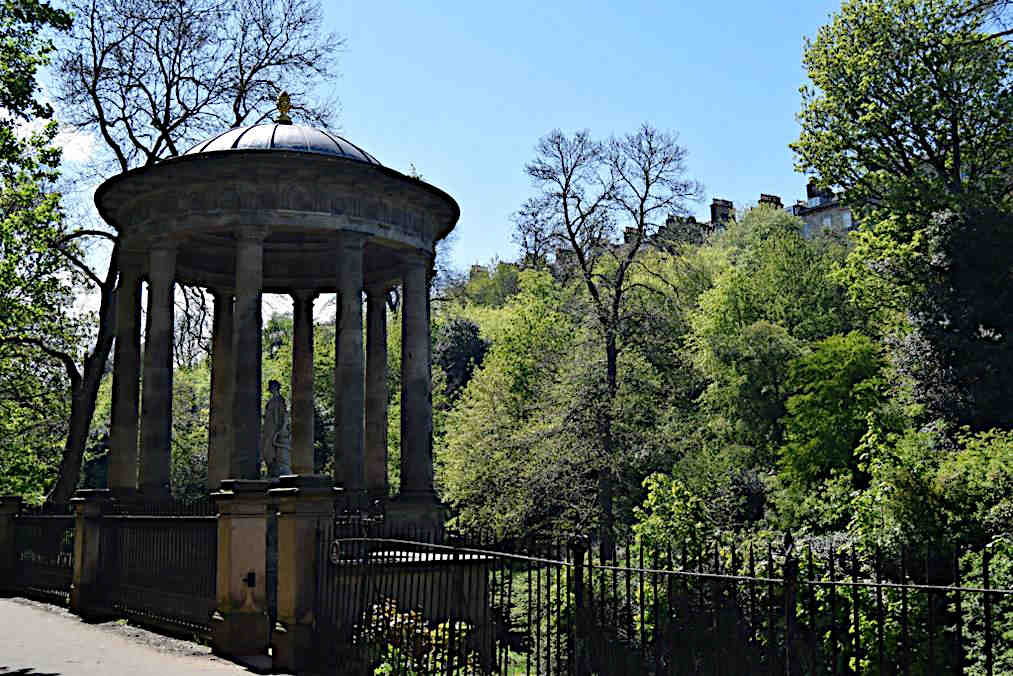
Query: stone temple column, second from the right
[[376, 393]]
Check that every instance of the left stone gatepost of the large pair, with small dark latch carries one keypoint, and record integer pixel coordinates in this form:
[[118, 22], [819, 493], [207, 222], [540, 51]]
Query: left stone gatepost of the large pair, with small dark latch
[[240, 626]]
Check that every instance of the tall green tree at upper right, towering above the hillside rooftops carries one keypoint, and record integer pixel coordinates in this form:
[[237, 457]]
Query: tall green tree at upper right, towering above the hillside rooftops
[[911, 115]]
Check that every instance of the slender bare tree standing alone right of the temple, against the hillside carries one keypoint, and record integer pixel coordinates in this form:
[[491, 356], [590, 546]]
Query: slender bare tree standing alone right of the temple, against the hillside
[[588, 190]]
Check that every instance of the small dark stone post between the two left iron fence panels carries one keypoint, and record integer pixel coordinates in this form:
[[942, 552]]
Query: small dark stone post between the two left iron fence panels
[[88, 591]]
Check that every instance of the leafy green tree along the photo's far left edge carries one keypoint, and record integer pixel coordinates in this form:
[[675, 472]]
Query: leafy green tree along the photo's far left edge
[[35, 281]]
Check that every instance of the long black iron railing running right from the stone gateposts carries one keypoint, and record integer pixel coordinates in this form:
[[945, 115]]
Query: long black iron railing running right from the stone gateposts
[[416, 605]]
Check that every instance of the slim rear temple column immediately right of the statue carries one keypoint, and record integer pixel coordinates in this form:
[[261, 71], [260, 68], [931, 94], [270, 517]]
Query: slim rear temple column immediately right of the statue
[[302, 382]]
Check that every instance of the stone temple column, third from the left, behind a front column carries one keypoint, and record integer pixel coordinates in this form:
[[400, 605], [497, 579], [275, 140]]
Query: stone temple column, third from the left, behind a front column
[[220, 465]]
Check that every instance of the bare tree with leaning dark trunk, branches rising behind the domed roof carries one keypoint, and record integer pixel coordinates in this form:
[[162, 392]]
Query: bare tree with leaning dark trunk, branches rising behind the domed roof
[[149, 79]]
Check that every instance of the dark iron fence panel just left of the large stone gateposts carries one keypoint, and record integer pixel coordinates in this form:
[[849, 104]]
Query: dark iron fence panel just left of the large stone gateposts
[[162, 569]]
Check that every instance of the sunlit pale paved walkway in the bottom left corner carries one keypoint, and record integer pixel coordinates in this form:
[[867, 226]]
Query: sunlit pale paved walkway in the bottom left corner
[[37, 640]]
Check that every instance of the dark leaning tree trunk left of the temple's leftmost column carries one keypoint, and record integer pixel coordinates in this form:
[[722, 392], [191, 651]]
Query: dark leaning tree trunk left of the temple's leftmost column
[[85, 393]]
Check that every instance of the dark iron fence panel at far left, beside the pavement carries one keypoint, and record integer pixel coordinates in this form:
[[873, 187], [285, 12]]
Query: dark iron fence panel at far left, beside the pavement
[[44, 543]]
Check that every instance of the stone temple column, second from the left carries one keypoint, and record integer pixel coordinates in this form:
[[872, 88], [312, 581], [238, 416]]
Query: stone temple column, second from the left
[[157, 420]]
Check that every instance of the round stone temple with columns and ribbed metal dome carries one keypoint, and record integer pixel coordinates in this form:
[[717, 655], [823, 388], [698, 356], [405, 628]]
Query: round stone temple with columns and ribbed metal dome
[[277, 208]]
